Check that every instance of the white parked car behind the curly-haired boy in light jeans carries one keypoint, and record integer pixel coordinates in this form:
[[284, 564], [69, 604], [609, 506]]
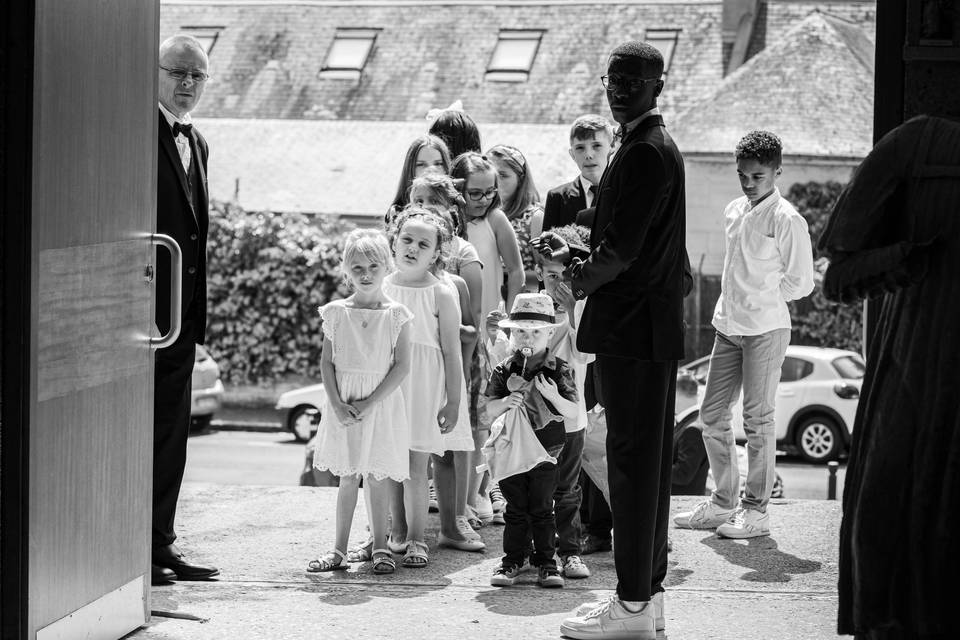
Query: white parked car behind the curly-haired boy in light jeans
[[816, 400]]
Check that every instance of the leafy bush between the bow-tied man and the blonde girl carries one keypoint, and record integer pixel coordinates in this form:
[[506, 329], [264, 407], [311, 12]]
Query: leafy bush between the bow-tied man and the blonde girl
[[266, 275]]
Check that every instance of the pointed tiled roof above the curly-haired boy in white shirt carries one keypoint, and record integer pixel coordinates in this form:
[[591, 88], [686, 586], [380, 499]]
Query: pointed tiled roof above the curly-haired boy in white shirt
[[812, 86]]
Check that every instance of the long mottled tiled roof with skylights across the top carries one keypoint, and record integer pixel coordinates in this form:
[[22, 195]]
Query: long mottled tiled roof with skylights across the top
[[268, 54]]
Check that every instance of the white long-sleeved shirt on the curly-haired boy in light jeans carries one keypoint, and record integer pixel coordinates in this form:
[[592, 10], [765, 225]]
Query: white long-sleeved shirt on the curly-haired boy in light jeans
[[769, 261]]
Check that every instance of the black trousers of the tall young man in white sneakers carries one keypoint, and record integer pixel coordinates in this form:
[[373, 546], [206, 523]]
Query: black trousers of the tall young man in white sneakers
[[638, 396]]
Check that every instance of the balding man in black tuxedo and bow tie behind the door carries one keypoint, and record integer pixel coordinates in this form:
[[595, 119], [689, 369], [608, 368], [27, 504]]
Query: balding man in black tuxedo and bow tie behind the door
[[181, 214]]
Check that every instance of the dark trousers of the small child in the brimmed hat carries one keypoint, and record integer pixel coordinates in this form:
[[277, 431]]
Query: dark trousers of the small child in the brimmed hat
[[529, 499]]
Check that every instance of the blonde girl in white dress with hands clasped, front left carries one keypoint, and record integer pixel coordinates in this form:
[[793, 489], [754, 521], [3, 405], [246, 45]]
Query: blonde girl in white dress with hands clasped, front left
[[364, 432]]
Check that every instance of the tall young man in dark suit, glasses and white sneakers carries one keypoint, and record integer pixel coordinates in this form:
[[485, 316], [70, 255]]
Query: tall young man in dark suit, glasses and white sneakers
[[634, 279]]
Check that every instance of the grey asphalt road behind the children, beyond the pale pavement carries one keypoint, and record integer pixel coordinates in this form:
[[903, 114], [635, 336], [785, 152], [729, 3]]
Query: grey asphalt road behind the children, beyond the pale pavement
[[275, 458]]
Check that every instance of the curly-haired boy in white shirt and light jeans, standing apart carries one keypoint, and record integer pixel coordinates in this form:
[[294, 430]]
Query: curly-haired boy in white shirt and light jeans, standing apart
[[768, 262]]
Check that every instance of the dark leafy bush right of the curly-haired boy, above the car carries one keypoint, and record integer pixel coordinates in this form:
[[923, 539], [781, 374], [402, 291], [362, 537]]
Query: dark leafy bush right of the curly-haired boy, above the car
[[816, 320]]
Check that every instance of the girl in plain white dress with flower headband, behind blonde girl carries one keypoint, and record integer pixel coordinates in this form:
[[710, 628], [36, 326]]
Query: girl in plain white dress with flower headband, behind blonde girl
[[433, 392]]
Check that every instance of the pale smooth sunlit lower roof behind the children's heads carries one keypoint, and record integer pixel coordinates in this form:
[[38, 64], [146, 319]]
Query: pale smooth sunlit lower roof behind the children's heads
[[346, 167]]
